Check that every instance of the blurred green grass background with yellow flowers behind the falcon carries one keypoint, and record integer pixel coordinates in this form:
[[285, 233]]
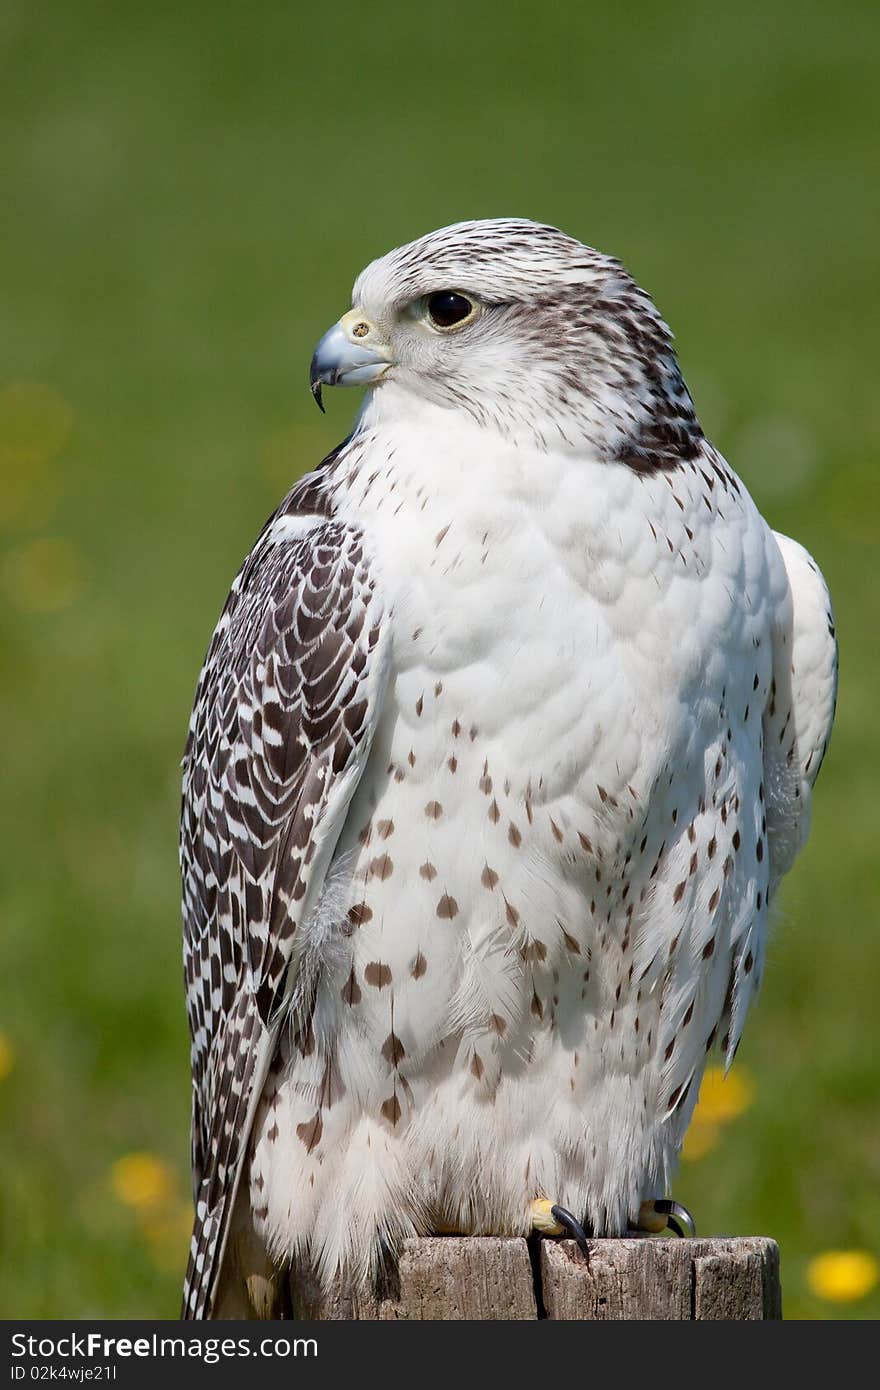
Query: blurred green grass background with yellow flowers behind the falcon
[[188, 193]]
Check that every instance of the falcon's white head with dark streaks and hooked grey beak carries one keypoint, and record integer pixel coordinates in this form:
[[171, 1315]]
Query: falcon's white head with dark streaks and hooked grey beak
[[522, 327]]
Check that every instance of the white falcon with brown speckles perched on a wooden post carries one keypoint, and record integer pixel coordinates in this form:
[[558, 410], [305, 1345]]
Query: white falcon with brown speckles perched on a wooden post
[[501, 749]]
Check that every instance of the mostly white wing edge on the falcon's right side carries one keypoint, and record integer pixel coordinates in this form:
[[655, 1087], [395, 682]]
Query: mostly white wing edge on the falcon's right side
[[797, 723]]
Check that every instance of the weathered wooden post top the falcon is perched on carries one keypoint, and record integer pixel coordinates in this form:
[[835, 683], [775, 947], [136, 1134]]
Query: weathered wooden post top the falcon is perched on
[[491, 1278]]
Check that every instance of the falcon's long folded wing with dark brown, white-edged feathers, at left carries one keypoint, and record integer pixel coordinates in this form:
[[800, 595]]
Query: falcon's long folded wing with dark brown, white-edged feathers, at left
[[282, 729]]
